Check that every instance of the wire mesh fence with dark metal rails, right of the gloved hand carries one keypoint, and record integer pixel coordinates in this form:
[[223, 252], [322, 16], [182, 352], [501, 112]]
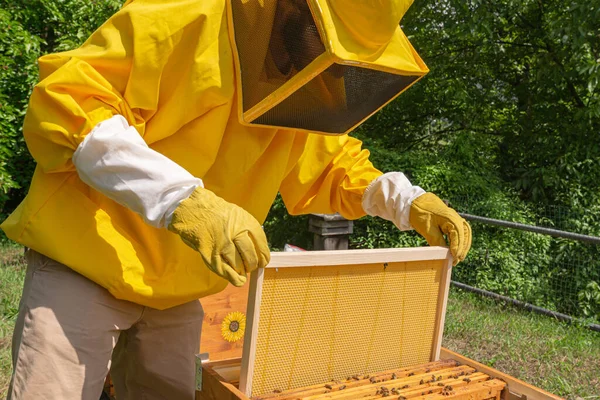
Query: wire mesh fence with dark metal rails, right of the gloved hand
[[538, 260]]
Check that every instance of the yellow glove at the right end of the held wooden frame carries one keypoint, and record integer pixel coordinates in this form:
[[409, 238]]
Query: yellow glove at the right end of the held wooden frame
[[433, 219]]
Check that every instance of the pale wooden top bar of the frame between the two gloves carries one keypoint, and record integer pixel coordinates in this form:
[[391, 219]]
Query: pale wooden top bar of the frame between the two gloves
[[353, 257]]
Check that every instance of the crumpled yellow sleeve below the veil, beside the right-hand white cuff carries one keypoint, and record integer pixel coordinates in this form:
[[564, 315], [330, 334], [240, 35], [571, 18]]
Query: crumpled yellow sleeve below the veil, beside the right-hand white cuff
[[330, 176]]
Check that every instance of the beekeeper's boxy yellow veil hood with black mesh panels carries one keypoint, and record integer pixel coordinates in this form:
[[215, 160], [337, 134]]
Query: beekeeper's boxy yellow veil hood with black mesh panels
[[319, 65]]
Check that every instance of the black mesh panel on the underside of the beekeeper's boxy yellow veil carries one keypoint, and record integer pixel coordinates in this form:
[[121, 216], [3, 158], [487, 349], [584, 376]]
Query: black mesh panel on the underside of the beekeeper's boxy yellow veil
[[336, 100]]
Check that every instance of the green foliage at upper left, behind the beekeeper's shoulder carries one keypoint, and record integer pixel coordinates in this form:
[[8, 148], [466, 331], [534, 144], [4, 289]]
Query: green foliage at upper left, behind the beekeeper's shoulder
[[29, 29]]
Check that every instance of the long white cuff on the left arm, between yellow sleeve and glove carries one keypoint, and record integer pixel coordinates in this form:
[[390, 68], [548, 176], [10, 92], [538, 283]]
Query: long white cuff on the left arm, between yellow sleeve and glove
[[114, 159]]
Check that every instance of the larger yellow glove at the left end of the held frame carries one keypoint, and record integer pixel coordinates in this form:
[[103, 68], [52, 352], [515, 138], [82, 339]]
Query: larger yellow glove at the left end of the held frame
[[229, 239]]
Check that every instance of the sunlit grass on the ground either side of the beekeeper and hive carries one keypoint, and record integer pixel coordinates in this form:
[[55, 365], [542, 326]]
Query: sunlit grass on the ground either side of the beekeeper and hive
[[560, 358]]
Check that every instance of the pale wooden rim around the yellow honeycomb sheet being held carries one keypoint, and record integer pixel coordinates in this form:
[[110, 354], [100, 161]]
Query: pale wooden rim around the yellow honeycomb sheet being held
[[439, 255]]
